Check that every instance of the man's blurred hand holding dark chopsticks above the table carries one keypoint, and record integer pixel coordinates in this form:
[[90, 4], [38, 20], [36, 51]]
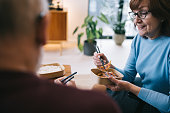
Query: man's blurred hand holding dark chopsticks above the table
[[70, 83]]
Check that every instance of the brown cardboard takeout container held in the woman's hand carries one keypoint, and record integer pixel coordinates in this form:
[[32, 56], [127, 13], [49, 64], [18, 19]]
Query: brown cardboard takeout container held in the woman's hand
[[104, 80]]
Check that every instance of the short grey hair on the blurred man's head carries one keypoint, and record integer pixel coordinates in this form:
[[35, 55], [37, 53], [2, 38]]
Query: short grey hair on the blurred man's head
[[18, 17]]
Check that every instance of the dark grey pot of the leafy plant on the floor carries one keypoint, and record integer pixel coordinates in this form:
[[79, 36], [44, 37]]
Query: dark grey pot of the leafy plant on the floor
[[89, 48]]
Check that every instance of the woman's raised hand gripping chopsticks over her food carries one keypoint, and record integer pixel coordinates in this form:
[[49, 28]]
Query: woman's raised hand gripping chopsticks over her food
[[96, 59]]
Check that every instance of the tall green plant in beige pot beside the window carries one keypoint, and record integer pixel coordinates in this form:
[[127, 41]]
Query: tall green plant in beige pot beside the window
[[118, 26]]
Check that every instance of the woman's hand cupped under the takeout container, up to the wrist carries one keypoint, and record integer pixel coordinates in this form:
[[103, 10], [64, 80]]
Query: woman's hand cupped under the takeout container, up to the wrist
[[119, 85]]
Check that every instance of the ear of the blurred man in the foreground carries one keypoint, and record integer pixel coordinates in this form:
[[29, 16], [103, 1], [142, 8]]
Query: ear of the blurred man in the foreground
[[41, 30]]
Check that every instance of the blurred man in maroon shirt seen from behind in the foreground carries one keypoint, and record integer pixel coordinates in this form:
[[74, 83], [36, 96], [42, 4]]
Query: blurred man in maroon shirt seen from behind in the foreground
[[23, 26]]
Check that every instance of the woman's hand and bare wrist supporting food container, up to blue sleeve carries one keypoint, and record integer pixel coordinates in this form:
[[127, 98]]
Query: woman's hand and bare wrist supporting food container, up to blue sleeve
[[120, 85]]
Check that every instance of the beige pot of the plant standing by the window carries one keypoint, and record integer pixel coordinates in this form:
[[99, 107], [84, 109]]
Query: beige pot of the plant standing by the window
[[118, 39]]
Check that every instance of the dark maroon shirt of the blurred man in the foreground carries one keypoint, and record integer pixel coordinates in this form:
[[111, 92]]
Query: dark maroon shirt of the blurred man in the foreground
[[25, 93]]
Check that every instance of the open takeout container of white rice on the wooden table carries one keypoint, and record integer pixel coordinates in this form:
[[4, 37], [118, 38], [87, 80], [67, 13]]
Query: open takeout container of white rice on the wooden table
[[53, 74]]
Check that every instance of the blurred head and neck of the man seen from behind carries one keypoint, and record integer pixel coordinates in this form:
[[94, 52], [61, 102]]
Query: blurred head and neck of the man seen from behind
[[23, 26]]
